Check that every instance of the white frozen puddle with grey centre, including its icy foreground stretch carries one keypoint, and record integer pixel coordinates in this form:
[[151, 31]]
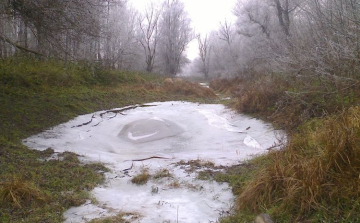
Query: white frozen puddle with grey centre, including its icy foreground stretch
[[155, 139]]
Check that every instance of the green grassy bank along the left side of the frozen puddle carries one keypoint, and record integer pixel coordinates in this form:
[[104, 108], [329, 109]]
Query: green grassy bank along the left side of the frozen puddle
[[36, 95]]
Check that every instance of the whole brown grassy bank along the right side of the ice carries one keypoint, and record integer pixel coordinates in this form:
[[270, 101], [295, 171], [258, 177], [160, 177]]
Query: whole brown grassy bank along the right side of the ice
[[315, 176]]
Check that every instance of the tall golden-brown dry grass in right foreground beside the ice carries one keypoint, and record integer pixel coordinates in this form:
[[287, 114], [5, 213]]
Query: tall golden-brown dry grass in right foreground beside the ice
[[315, 177]]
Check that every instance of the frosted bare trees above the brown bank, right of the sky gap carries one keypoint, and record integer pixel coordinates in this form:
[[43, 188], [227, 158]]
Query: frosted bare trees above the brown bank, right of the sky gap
[[309, 38]]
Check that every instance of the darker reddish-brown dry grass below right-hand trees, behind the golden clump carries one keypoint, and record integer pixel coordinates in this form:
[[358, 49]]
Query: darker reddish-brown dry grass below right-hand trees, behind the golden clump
[[289, 101]]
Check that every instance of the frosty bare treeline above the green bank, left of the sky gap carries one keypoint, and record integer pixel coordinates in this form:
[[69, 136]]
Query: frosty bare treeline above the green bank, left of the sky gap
[[108, 32]]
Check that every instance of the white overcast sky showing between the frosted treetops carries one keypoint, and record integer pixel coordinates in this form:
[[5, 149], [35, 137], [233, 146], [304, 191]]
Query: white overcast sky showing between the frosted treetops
[[206, 16]]
